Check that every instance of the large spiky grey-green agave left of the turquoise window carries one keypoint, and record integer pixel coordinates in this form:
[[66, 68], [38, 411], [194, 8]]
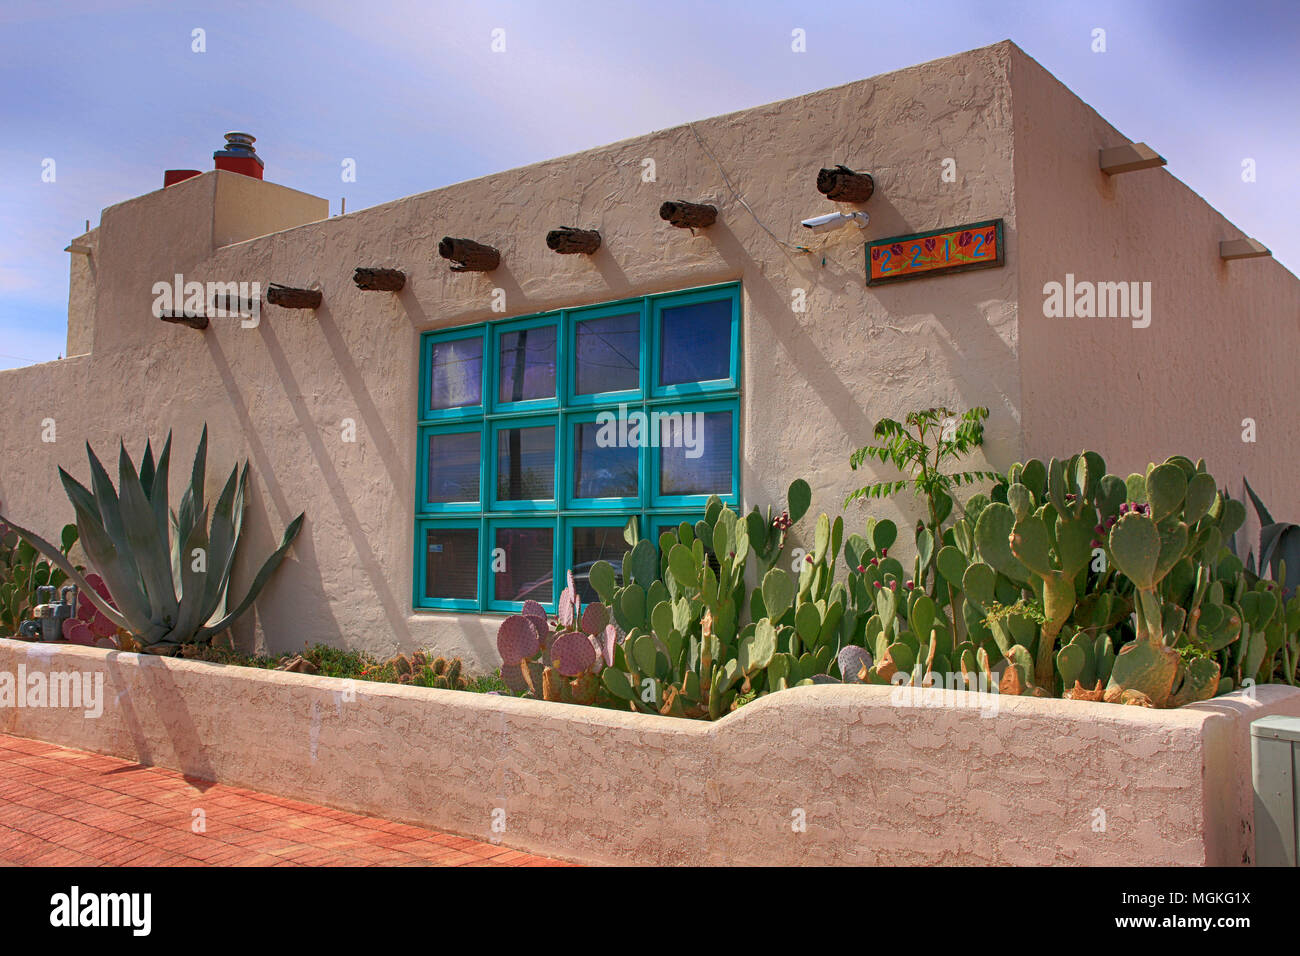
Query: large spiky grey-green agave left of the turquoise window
[[168, 572]]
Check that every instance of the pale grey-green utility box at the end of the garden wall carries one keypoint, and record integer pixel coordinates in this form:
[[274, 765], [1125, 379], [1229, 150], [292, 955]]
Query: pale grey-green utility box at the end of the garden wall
[[1275, 760]]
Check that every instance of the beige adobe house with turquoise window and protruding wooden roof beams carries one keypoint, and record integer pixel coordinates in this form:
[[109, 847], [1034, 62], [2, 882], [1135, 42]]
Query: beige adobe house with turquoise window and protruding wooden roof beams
[[424, 429]]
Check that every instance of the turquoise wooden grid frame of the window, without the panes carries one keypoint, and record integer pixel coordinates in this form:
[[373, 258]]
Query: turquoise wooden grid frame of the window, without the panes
[[565, 512]]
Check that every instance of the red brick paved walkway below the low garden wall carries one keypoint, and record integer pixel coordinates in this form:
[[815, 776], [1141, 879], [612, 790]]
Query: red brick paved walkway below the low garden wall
[[70, 808]]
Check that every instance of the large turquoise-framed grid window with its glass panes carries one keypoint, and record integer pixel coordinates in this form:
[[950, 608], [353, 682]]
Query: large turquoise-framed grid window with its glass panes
[[541, 436]]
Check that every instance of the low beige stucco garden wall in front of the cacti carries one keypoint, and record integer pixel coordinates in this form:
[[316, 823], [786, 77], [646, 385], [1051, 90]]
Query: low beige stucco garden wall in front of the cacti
[[874, 782]]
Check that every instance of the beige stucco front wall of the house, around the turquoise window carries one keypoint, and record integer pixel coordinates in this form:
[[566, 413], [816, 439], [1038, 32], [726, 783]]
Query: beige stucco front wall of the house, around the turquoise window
[[813, 383]]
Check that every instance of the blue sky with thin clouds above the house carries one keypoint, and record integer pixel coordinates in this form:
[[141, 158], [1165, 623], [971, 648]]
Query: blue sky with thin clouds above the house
[[415, 94]]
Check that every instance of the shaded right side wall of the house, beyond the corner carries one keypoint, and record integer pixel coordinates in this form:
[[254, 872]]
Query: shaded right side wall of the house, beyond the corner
[[1223, 339]]
